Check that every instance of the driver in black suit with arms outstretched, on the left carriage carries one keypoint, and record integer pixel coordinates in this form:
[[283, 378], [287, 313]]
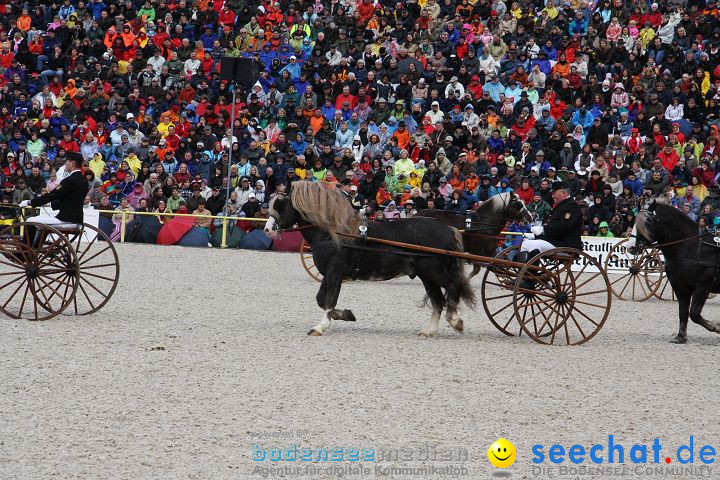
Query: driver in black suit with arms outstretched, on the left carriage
[[68, 197]]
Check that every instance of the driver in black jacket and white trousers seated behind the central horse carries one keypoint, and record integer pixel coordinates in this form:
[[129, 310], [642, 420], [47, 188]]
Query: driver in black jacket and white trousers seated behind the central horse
[[562, 228]]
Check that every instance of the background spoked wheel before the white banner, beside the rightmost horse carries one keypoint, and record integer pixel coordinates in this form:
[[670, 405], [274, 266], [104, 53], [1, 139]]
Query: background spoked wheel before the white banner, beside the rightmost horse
[[643, 272]]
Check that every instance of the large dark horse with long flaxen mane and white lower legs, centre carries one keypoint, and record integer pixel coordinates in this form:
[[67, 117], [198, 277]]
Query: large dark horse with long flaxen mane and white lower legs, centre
[[324, 216]]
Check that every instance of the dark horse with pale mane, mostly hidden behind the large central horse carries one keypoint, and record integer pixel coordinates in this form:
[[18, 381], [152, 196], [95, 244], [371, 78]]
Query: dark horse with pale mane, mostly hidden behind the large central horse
[[482, 227]]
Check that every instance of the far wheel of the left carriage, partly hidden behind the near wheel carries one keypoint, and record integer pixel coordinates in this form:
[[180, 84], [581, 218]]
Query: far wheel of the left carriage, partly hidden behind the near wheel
[[99, 270]]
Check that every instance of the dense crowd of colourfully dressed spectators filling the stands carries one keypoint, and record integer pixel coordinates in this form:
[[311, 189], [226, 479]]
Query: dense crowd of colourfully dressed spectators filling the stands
[[403, 105]]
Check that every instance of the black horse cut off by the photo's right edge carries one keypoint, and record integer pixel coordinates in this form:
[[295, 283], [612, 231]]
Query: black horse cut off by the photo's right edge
[[692, 260]]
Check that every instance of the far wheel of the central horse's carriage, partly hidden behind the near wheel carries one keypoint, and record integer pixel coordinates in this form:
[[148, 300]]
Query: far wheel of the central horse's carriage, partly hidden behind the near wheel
[[497, 293]]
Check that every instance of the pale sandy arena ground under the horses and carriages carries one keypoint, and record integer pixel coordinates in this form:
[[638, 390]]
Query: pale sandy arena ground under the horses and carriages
[[203, 353]]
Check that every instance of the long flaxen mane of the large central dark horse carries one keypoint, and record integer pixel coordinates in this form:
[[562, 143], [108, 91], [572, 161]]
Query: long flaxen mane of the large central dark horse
[[326, 208]]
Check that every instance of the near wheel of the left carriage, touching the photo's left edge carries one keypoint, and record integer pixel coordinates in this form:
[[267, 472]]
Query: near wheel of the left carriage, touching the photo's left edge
[[38, 272]]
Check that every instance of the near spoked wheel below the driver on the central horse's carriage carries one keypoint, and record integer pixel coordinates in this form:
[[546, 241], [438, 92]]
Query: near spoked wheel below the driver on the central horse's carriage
[[564, 307]]
